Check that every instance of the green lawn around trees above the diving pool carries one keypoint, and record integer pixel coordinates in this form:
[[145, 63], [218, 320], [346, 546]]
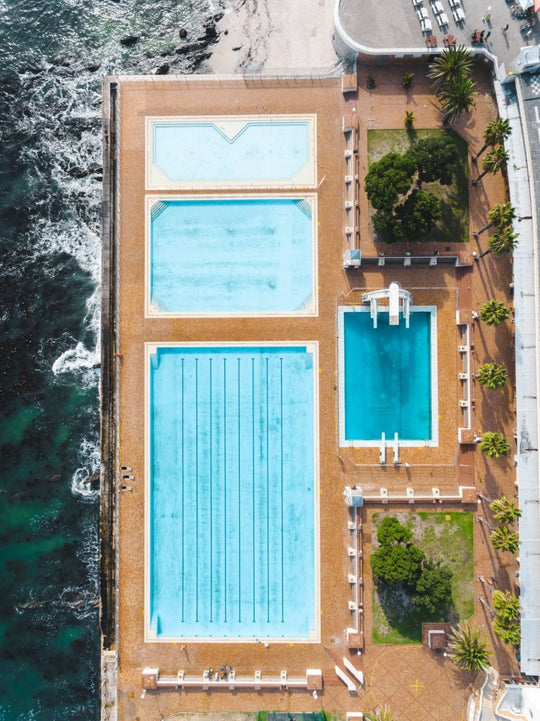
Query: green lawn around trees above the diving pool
[[454, 224]]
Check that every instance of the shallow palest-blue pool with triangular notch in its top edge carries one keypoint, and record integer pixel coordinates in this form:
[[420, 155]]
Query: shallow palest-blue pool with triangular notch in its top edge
[[231, 151]]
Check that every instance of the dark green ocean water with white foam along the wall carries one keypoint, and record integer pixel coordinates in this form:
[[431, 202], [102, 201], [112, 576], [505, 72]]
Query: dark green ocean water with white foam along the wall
[[53, 54]]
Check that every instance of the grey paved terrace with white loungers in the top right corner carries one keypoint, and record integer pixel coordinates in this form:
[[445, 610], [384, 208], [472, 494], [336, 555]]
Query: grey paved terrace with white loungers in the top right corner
[[372, 26]]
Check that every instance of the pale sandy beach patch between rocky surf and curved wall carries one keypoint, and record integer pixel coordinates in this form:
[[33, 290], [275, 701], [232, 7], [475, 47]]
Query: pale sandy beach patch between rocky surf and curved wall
[[273, 36]]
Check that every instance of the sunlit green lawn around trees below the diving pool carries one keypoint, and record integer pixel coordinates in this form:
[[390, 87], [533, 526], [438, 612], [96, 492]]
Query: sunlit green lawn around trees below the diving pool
[[446, 537]]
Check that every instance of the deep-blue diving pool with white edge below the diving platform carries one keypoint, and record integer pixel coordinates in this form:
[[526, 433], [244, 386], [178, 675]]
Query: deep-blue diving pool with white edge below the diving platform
[[388, 378]]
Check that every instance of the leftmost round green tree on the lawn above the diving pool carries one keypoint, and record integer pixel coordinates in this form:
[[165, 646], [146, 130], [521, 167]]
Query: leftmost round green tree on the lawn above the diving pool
[[388, 178]]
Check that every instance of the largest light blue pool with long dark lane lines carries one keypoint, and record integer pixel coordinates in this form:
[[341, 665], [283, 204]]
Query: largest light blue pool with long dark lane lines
[[232, 492]]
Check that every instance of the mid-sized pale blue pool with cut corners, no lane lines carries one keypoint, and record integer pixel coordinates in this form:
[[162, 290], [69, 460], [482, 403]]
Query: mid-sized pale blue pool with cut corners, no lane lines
[[239, 256]]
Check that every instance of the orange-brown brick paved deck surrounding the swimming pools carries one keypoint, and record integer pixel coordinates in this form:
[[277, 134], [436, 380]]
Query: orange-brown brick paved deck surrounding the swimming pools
[[416, 683]]
